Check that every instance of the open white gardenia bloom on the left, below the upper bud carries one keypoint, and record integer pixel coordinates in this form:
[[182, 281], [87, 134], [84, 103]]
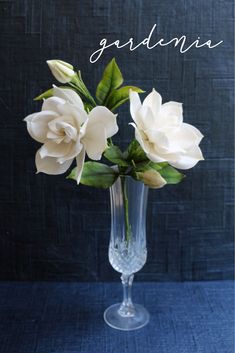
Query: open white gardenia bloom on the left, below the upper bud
[[68, 132]]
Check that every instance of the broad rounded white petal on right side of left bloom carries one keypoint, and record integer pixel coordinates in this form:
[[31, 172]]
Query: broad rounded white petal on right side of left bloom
[[105, 118]]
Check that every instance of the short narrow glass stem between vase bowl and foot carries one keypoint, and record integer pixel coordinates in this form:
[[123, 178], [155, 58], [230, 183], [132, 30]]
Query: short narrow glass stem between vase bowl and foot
[[127, 308]]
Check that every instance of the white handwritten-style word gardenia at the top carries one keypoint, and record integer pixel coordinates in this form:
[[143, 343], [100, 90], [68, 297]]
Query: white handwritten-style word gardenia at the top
[[181, 42]]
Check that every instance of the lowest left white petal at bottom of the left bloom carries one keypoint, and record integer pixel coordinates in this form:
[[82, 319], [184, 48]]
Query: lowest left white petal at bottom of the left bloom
[[49, 165]]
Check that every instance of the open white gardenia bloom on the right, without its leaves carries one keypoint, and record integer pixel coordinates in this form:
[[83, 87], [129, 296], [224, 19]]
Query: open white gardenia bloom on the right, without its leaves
[[161, 132]]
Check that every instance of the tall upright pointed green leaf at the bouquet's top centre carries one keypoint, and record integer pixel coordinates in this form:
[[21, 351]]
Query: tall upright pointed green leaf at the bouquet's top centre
[[111, 79]]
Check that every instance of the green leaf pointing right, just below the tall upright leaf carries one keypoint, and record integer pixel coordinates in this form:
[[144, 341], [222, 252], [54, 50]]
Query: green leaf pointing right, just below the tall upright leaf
[[120, 96]]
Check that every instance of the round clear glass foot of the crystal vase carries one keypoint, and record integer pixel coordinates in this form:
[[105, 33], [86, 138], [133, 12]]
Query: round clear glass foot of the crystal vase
[[115, 320]]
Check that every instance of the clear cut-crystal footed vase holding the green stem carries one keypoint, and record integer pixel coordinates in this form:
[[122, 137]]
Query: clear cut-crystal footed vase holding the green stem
[[127, 249]]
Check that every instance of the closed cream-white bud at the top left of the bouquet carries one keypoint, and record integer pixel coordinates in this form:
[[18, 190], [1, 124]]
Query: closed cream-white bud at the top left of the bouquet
[[61, 70]]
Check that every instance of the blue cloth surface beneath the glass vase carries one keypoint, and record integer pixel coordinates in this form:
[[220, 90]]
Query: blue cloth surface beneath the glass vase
[[189, 317]]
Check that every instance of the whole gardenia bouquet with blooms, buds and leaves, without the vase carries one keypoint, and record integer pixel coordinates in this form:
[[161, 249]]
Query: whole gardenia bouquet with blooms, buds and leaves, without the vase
[[74, 125]]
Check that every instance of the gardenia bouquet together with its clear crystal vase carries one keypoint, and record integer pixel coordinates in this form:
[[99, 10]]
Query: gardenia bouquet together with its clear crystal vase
[[74, 125]]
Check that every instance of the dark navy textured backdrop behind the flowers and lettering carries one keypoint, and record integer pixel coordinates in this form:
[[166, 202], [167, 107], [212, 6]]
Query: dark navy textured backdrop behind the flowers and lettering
[[49, 228]]
